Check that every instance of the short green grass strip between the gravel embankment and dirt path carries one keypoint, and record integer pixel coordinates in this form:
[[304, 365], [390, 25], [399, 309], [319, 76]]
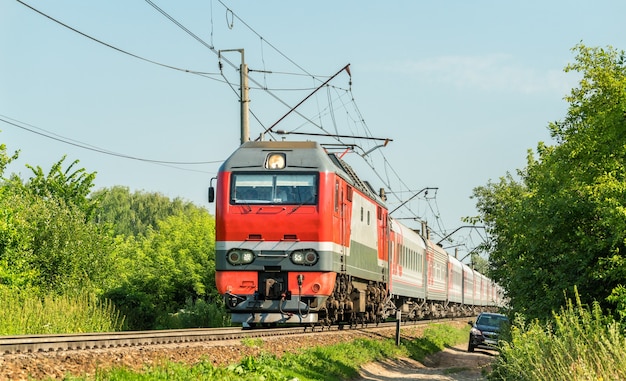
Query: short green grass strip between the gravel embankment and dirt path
[[336, 362]]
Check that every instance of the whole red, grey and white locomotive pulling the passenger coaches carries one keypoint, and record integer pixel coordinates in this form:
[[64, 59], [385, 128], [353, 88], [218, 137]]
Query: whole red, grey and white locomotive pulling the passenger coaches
[[299, 239]]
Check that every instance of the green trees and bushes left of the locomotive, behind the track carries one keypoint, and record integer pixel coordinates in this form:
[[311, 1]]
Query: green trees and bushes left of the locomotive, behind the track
[[140, 259]]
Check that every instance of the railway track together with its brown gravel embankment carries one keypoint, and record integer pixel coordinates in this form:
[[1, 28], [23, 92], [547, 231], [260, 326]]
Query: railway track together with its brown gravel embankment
[[55, 356]]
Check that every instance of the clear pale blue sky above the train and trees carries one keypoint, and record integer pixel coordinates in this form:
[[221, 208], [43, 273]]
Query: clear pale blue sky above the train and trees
[[464, 88]]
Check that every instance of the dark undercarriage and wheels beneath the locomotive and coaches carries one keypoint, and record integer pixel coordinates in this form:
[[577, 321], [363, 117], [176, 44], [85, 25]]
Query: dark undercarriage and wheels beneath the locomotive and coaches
[[352, 302]]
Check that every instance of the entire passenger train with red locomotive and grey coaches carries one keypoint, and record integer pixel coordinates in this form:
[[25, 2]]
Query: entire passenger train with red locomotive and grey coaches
[[301, 239]]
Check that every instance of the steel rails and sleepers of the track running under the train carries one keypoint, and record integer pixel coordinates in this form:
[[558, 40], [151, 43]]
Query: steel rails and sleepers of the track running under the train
[[88, 341]]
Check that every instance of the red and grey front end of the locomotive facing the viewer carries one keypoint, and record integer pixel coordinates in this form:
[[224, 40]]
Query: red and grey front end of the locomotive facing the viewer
[[273, 261]]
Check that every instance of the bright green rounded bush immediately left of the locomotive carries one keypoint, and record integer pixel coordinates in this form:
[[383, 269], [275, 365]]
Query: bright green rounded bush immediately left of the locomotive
[[166, 269]]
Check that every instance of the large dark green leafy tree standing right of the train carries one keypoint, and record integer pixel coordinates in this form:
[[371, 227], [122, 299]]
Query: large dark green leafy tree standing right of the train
[[564, 223]]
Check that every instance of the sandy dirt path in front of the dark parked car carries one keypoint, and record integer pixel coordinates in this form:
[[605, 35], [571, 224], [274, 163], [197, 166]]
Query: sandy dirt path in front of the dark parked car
[[452, 364]]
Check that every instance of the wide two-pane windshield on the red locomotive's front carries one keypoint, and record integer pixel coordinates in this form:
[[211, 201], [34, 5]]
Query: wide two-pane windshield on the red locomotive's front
[[280, 189]]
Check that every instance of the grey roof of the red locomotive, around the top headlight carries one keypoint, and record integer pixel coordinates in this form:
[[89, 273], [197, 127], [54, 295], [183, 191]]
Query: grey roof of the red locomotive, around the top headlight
[[301, 155]]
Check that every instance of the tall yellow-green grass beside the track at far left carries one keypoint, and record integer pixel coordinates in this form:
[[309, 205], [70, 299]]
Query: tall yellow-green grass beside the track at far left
[[27, 313]]
